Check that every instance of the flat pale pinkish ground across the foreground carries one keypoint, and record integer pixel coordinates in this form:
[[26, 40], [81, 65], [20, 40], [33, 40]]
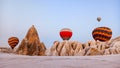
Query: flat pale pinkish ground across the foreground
[[21, 61]]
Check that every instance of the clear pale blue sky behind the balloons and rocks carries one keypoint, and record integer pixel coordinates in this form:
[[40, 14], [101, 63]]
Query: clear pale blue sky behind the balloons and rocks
[[50, 16]]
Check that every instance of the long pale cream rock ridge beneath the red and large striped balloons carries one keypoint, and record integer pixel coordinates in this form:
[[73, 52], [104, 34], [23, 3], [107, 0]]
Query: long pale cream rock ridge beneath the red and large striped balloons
[[90, 48]]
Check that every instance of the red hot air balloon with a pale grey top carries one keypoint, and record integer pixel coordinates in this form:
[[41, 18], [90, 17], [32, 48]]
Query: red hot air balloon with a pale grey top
[[65, 33]]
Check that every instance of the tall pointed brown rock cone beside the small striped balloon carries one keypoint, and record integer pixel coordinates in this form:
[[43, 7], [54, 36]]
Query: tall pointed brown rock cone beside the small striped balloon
[[31, 44]]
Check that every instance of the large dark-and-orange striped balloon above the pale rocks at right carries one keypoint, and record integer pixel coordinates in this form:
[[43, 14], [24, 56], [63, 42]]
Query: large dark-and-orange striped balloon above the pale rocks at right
[[102, 34]]
